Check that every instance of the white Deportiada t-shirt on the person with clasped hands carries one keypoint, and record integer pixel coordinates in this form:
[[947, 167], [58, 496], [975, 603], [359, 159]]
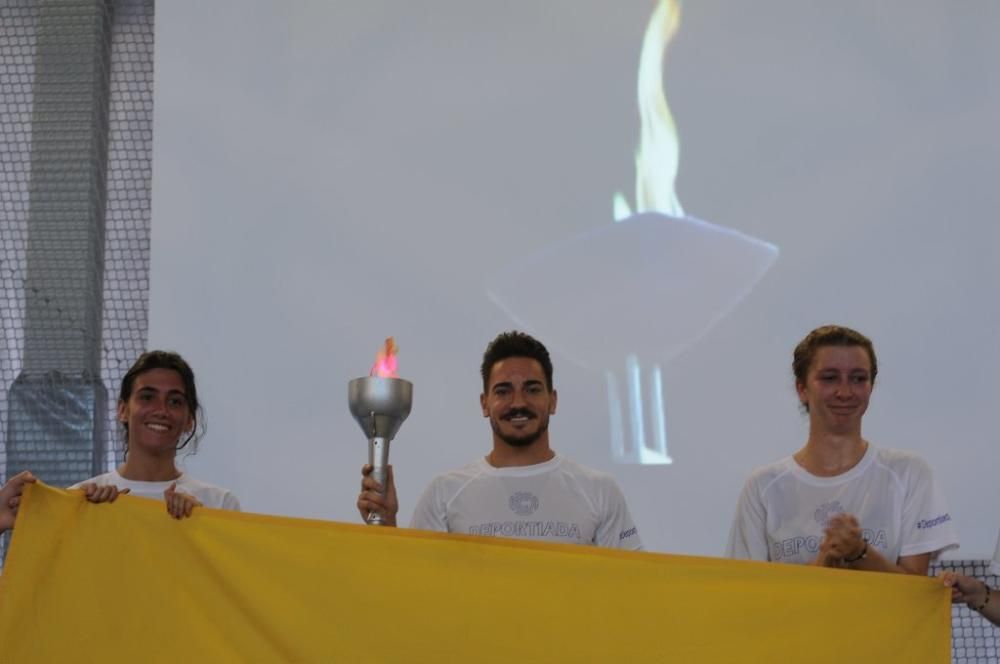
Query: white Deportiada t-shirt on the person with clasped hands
[[783, 509]]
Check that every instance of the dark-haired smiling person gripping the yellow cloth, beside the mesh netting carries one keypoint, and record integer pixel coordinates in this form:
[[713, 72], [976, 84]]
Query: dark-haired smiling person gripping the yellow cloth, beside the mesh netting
[[158, 408]]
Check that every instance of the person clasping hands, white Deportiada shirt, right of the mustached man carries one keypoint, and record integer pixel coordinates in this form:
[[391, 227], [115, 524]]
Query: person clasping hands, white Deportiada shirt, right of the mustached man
[[840, 501]]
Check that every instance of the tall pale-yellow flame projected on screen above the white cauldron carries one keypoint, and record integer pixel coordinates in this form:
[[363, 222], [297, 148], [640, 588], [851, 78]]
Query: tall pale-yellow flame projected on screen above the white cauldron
[[658, 154]]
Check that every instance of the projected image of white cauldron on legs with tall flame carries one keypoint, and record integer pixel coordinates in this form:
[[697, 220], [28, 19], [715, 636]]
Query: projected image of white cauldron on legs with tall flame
[[690, 274]]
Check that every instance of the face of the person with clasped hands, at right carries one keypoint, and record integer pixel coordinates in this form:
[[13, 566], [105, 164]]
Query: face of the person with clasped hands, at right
[[837, 388]]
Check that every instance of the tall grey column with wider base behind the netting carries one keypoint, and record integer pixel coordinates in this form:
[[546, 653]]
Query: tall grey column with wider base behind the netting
[[57, 406]]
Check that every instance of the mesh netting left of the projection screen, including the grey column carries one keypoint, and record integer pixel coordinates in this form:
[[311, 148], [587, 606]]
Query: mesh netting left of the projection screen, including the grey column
[[76, 102]]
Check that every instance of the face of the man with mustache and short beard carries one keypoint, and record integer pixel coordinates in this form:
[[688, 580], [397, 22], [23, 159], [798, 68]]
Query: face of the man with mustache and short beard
[[518, 402]]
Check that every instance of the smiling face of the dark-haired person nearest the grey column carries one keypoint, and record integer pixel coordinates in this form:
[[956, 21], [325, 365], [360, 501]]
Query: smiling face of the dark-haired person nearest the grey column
[[156, 413]]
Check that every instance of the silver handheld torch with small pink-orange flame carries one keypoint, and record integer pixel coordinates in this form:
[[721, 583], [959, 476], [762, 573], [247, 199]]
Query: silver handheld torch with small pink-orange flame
[[380, 404]]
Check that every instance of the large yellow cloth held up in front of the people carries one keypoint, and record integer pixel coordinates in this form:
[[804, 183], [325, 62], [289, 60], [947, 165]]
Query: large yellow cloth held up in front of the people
[[125, 582]]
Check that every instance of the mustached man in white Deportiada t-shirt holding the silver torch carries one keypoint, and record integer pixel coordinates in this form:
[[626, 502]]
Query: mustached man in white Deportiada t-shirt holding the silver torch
[[522, 488]]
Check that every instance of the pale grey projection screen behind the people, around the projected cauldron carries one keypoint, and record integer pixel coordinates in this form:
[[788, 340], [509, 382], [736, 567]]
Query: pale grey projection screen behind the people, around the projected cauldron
[[328, 174]]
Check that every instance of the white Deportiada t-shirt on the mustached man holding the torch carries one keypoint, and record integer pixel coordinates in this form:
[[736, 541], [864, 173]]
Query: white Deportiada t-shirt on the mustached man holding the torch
[[554, 501]]
